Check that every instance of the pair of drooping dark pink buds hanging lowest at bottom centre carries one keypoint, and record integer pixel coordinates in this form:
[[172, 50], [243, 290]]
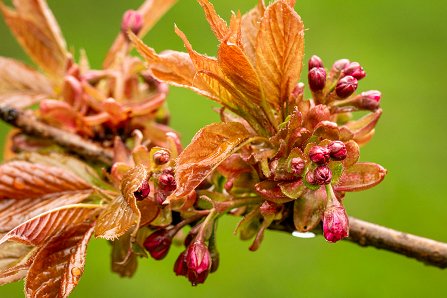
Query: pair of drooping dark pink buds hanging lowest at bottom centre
[[195, 263]]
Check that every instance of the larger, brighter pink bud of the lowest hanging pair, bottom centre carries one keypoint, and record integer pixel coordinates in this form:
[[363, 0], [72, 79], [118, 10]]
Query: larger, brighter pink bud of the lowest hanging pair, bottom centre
[[198, 260]]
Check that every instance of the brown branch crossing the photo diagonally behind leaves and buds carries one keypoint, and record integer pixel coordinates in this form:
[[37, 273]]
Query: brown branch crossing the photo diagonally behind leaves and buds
[[363, 233]]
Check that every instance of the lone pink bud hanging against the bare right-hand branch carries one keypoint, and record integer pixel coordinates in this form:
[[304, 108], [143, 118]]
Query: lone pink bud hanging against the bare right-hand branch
[[335, 223]]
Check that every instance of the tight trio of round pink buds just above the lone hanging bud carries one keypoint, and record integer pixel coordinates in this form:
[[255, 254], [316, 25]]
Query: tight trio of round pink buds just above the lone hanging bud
[[322, 175]]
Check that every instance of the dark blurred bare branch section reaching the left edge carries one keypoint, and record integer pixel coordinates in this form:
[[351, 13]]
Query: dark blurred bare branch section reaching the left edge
[[29, 124]]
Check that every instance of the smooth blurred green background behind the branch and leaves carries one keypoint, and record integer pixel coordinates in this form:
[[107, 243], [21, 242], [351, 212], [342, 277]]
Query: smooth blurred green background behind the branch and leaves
[[402, 44]]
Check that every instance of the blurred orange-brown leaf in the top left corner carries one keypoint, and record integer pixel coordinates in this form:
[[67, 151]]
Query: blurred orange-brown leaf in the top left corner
[[36, 30]]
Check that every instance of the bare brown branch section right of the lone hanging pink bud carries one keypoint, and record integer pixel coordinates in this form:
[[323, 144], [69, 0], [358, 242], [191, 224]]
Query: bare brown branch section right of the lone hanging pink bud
[[422, 249]]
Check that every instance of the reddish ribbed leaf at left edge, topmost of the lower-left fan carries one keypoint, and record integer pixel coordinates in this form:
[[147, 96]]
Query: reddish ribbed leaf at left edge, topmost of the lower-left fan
[[25, 180]]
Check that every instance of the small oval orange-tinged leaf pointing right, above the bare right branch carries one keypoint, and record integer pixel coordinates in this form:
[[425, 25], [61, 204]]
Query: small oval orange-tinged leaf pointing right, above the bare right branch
[[361, 176]]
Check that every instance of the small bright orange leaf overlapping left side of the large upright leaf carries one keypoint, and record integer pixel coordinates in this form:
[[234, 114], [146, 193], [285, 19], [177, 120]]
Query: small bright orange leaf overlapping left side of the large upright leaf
[[236, 66]]
